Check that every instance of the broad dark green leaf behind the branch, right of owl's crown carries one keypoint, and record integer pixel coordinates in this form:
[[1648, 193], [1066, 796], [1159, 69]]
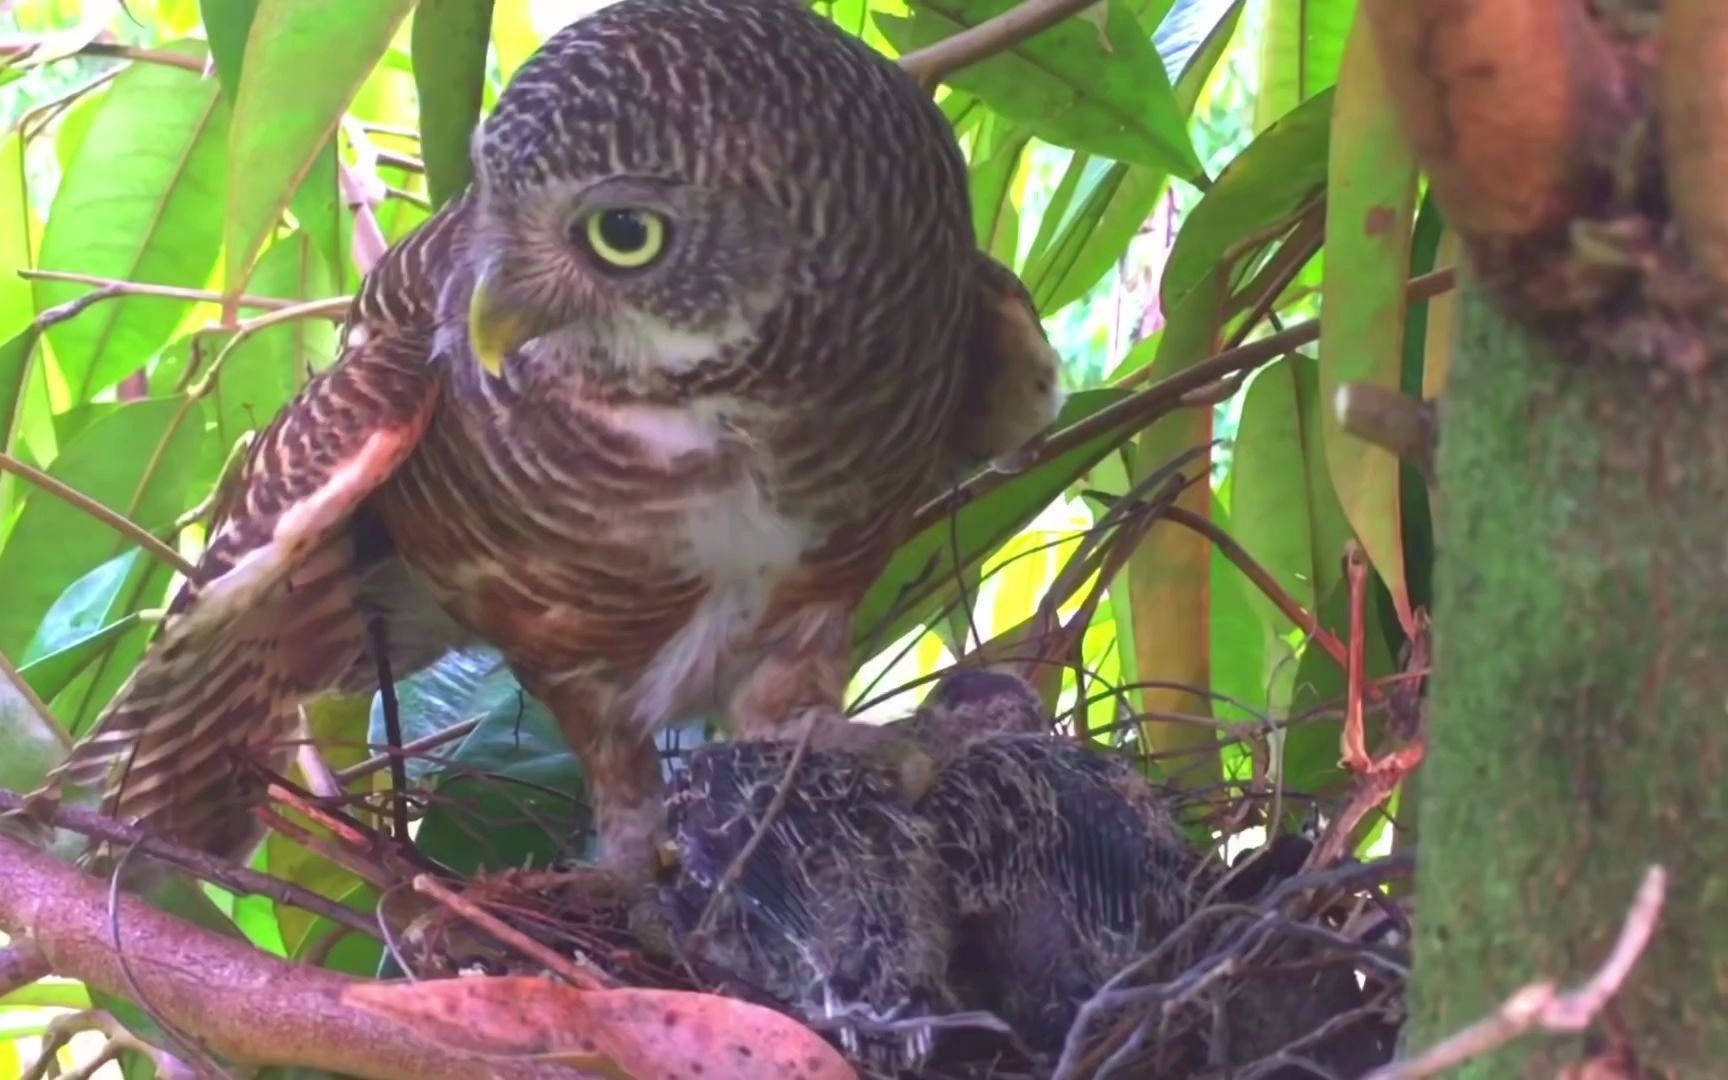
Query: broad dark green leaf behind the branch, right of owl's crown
[[1098, 89]]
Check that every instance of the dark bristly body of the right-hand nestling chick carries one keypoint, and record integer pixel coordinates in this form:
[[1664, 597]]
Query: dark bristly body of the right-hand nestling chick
[[1064, 868]]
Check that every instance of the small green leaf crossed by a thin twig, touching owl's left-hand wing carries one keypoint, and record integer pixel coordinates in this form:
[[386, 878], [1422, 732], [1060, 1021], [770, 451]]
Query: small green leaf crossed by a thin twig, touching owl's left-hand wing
[[265, 371]]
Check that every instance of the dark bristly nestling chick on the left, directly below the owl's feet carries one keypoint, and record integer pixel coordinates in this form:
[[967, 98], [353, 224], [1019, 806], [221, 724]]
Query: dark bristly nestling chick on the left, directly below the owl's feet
[[839, 913]]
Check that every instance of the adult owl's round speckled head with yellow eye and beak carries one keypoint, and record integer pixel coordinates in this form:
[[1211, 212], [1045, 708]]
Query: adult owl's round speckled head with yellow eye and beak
[[666, 184]]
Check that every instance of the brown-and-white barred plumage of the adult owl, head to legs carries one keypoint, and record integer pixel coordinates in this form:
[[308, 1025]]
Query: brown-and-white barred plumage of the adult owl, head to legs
[[685, 474]]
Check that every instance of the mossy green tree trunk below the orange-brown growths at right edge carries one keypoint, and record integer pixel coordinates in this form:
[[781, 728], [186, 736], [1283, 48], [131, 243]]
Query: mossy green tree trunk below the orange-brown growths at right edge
[[1580, 692]]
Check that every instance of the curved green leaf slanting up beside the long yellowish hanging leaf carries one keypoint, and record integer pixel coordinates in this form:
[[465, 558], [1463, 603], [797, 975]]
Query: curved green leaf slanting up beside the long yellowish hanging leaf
[[1266, 186]]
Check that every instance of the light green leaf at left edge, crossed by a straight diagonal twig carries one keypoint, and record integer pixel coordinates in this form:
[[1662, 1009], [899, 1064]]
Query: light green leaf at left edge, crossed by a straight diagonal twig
[[137, 461]]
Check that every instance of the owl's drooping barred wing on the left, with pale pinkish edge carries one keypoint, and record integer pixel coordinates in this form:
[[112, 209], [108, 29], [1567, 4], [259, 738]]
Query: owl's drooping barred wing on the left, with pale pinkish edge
[[269, 618]]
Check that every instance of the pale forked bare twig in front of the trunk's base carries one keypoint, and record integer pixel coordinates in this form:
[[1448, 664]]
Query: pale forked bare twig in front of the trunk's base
[[1541, 1007]]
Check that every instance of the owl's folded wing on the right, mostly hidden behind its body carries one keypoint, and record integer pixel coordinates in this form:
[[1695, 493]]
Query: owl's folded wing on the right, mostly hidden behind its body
[[1012, 376]]
